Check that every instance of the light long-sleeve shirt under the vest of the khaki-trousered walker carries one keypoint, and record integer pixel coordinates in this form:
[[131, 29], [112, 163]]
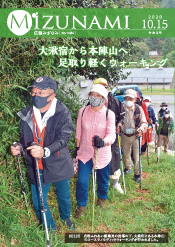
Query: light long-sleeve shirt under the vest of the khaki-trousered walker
[[129, 120]]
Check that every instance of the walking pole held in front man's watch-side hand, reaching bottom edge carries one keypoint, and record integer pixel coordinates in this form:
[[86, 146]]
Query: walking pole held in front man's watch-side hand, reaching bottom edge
[[43, 210]]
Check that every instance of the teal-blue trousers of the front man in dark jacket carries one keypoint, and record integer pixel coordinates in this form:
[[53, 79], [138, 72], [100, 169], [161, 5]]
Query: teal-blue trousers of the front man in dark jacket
[[63, 197]]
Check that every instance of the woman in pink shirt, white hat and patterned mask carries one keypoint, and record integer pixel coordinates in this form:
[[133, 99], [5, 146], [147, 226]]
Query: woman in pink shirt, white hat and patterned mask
[[95, 129]]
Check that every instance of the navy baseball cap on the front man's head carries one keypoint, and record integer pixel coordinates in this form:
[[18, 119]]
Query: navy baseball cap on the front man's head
[[44, 82]]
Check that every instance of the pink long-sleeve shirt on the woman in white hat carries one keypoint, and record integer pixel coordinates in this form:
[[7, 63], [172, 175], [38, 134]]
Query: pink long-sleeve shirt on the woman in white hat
[[91, 124]]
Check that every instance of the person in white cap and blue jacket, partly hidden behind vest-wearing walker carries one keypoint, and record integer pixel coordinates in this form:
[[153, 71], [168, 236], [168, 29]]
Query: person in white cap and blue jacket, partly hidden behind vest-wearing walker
[[152, 120]]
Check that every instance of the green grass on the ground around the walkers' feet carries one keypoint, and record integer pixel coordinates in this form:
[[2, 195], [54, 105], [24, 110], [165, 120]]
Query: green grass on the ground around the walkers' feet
[[146, 210]]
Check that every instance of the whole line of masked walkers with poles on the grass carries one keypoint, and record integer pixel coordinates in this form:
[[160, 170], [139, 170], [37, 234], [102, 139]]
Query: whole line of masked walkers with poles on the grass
[[46, 129]]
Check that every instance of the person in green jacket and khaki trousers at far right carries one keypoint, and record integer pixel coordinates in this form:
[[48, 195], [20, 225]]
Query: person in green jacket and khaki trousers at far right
[[166, 127]]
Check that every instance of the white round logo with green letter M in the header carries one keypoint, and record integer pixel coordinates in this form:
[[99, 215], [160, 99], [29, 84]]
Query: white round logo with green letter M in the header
[[19, 22]]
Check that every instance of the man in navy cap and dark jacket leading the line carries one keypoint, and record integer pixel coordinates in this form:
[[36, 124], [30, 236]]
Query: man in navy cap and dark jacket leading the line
[[47, 123]]
